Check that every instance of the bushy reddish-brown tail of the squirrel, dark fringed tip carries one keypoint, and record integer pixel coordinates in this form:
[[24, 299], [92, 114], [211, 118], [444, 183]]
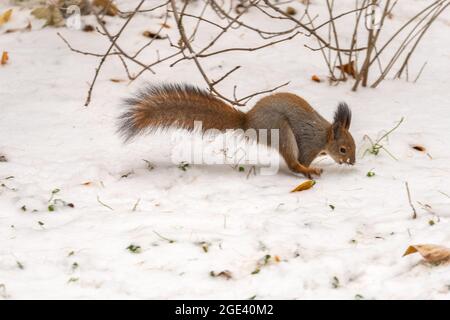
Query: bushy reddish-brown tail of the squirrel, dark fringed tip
[[178, 106]]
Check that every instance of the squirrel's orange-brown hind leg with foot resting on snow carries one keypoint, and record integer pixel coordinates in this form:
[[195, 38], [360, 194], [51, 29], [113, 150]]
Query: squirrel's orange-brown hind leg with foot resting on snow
[[289, 151]]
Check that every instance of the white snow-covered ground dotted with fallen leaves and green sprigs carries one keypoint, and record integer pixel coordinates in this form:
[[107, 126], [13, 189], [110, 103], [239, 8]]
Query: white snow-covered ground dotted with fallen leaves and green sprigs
[[354, 251]]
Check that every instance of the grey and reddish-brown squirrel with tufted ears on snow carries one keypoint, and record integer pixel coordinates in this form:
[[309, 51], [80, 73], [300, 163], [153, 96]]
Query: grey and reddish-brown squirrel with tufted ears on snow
[[303, 133]]
